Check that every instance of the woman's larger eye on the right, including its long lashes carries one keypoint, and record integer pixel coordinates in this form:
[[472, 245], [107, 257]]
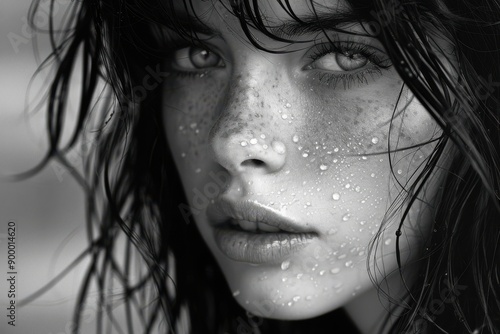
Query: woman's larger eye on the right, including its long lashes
[[347, 63]]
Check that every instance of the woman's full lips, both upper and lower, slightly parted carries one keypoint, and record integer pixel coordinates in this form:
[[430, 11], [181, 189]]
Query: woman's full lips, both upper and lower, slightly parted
[[254, 247]]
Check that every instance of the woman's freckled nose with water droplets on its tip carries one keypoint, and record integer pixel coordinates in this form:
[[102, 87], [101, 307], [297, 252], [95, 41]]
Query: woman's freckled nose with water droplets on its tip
[[245, 138]]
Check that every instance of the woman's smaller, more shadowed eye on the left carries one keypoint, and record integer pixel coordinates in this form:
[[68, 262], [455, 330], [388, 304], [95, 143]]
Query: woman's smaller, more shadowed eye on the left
[[194, 60]]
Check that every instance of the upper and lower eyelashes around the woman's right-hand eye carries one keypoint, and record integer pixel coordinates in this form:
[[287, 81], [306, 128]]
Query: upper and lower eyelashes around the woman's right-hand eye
[[332, 79]]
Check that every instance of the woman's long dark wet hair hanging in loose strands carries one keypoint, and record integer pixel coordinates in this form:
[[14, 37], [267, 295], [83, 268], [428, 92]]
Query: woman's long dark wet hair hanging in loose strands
[[166, 276]]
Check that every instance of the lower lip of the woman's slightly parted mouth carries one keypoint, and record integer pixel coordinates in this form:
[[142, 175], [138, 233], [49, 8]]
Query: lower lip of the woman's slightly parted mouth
[[259, 248]]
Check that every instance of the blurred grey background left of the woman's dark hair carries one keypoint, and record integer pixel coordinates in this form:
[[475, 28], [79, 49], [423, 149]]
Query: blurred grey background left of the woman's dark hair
[[48, 208]]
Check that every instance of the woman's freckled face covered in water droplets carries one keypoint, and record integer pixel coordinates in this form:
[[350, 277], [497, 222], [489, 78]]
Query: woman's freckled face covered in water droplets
[[283, 157]]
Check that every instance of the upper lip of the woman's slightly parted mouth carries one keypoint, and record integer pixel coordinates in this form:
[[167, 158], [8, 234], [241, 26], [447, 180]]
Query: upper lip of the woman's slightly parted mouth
[[222, 210]]
